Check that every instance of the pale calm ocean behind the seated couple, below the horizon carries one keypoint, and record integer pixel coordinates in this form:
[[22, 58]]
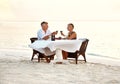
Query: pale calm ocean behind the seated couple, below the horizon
[[104, 36]]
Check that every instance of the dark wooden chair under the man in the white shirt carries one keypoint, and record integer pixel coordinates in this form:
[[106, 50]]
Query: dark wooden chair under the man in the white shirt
[[40, 55]]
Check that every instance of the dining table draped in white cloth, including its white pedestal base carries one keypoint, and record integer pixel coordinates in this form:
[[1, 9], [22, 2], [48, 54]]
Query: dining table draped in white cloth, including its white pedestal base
[[56, 47]]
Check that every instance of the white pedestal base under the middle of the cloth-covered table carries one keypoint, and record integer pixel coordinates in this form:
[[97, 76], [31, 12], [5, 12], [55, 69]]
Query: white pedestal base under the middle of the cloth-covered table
[[59, 57]]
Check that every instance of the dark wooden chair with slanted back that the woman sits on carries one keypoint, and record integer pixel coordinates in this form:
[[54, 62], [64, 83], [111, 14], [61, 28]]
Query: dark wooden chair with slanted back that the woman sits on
[[80, 52]]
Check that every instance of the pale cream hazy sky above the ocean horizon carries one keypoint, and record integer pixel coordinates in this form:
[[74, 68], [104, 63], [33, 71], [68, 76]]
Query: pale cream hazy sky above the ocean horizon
[[55, 10]]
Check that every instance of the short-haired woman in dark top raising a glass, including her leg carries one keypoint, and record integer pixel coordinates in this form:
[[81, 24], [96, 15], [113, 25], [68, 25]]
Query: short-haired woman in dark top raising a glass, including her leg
[[71, 36]]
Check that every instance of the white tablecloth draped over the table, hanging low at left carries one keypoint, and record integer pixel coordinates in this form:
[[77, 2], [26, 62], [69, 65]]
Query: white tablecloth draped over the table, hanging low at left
[[66, 45]]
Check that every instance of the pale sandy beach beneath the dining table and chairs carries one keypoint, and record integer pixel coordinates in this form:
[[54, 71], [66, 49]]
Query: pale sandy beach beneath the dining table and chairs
[[16, 68]]
